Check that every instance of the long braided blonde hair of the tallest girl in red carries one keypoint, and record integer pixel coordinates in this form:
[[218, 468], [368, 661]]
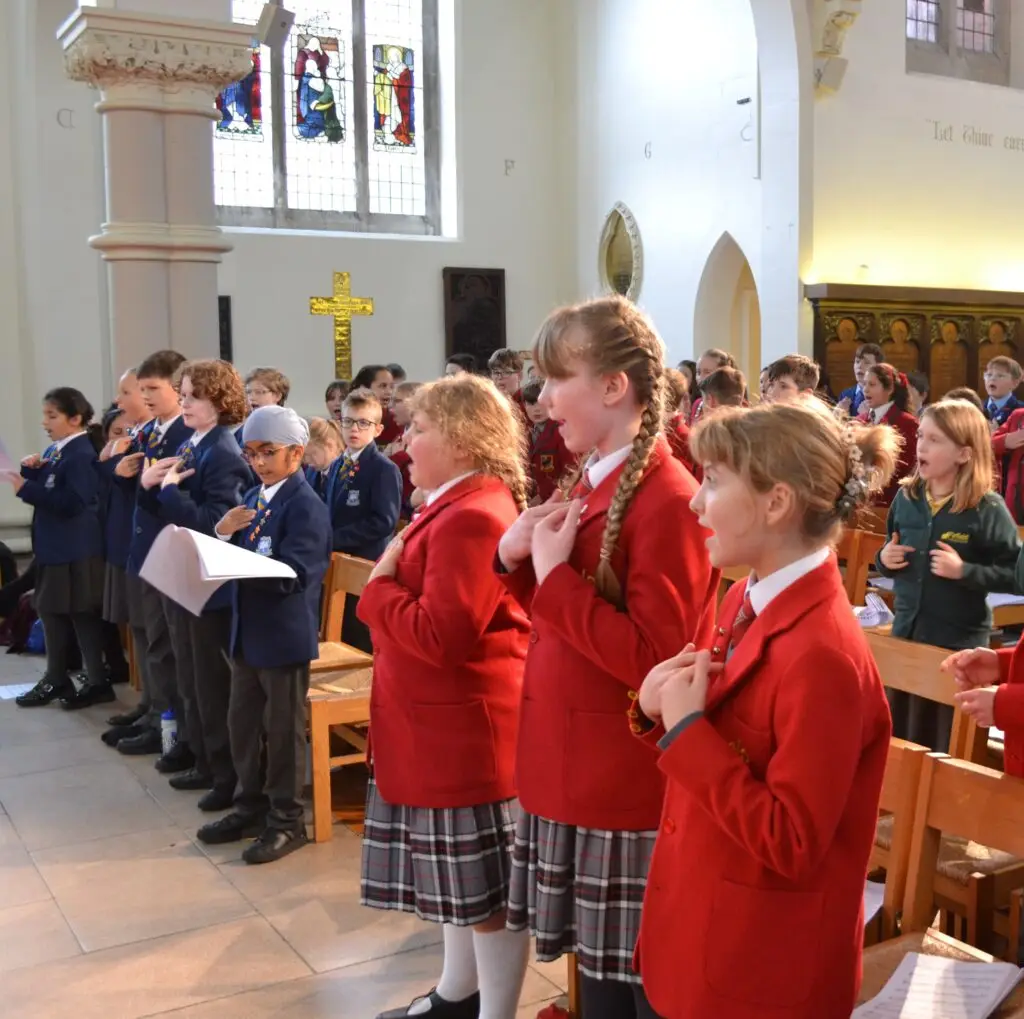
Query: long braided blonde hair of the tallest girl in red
[[611, 335]]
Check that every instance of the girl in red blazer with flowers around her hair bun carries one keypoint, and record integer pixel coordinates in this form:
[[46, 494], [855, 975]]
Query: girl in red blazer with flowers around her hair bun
[[754, 905]]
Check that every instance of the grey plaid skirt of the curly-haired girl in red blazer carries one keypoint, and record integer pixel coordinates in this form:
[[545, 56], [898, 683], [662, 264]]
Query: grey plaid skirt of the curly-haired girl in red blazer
[[448, 866]]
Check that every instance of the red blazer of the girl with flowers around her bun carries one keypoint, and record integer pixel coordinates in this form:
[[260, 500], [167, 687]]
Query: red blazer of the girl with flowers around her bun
[[758, 875]]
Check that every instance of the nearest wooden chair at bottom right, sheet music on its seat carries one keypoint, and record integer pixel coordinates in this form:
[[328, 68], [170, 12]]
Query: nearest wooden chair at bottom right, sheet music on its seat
[[957, 798]]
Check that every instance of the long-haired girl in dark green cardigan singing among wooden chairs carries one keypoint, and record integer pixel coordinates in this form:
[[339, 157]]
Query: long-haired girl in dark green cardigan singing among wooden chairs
[[951, 541]]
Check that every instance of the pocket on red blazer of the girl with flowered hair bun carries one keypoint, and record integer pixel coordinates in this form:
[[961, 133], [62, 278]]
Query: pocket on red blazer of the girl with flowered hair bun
[[781, 973]]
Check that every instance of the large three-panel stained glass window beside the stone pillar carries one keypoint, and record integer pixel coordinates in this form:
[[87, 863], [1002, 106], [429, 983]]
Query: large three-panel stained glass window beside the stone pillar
[[352, 144]]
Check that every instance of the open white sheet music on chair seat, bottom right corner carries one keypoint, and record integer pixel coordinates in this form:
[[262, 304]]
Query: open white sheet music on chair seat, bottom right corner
[[929, 987]]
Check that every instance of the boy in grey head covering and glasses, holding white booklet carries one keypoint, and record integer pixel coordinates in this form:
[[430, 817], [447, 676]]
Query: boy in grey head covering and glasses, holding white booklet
[[275, 633]]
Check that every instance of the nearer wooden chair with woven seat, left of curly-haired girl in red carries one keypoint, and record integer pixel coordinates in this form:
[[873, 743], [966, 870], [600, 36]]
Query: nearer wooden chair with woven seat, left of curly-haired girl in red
[[339, 702]]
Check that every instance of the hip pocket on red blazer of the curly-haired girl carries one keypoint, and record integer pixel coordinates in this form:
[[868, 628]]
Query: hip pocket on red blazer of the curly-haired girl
[[454, 746]]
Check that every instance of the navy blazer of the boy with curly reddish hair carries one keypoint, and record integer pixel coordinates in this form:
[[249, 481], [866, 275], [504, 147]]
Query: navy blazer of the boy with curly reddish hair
[[201, 500]]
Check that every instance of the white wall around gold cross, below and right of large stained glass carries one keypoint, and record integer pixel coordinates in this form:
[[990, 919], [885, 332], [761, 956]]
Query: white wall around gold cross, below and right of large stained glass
[[509, 107]]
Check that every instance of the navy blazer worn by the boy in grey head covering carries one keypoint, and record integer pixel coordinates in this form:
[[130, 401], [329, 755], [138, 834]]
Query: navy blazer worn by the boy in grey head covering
[[276, 623]]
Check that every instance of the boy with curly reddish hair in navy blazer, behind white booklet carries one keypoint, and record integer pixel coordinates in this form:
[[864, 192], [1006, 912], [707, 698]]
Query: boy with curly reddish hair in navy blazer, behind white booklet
[[194, 490]]
